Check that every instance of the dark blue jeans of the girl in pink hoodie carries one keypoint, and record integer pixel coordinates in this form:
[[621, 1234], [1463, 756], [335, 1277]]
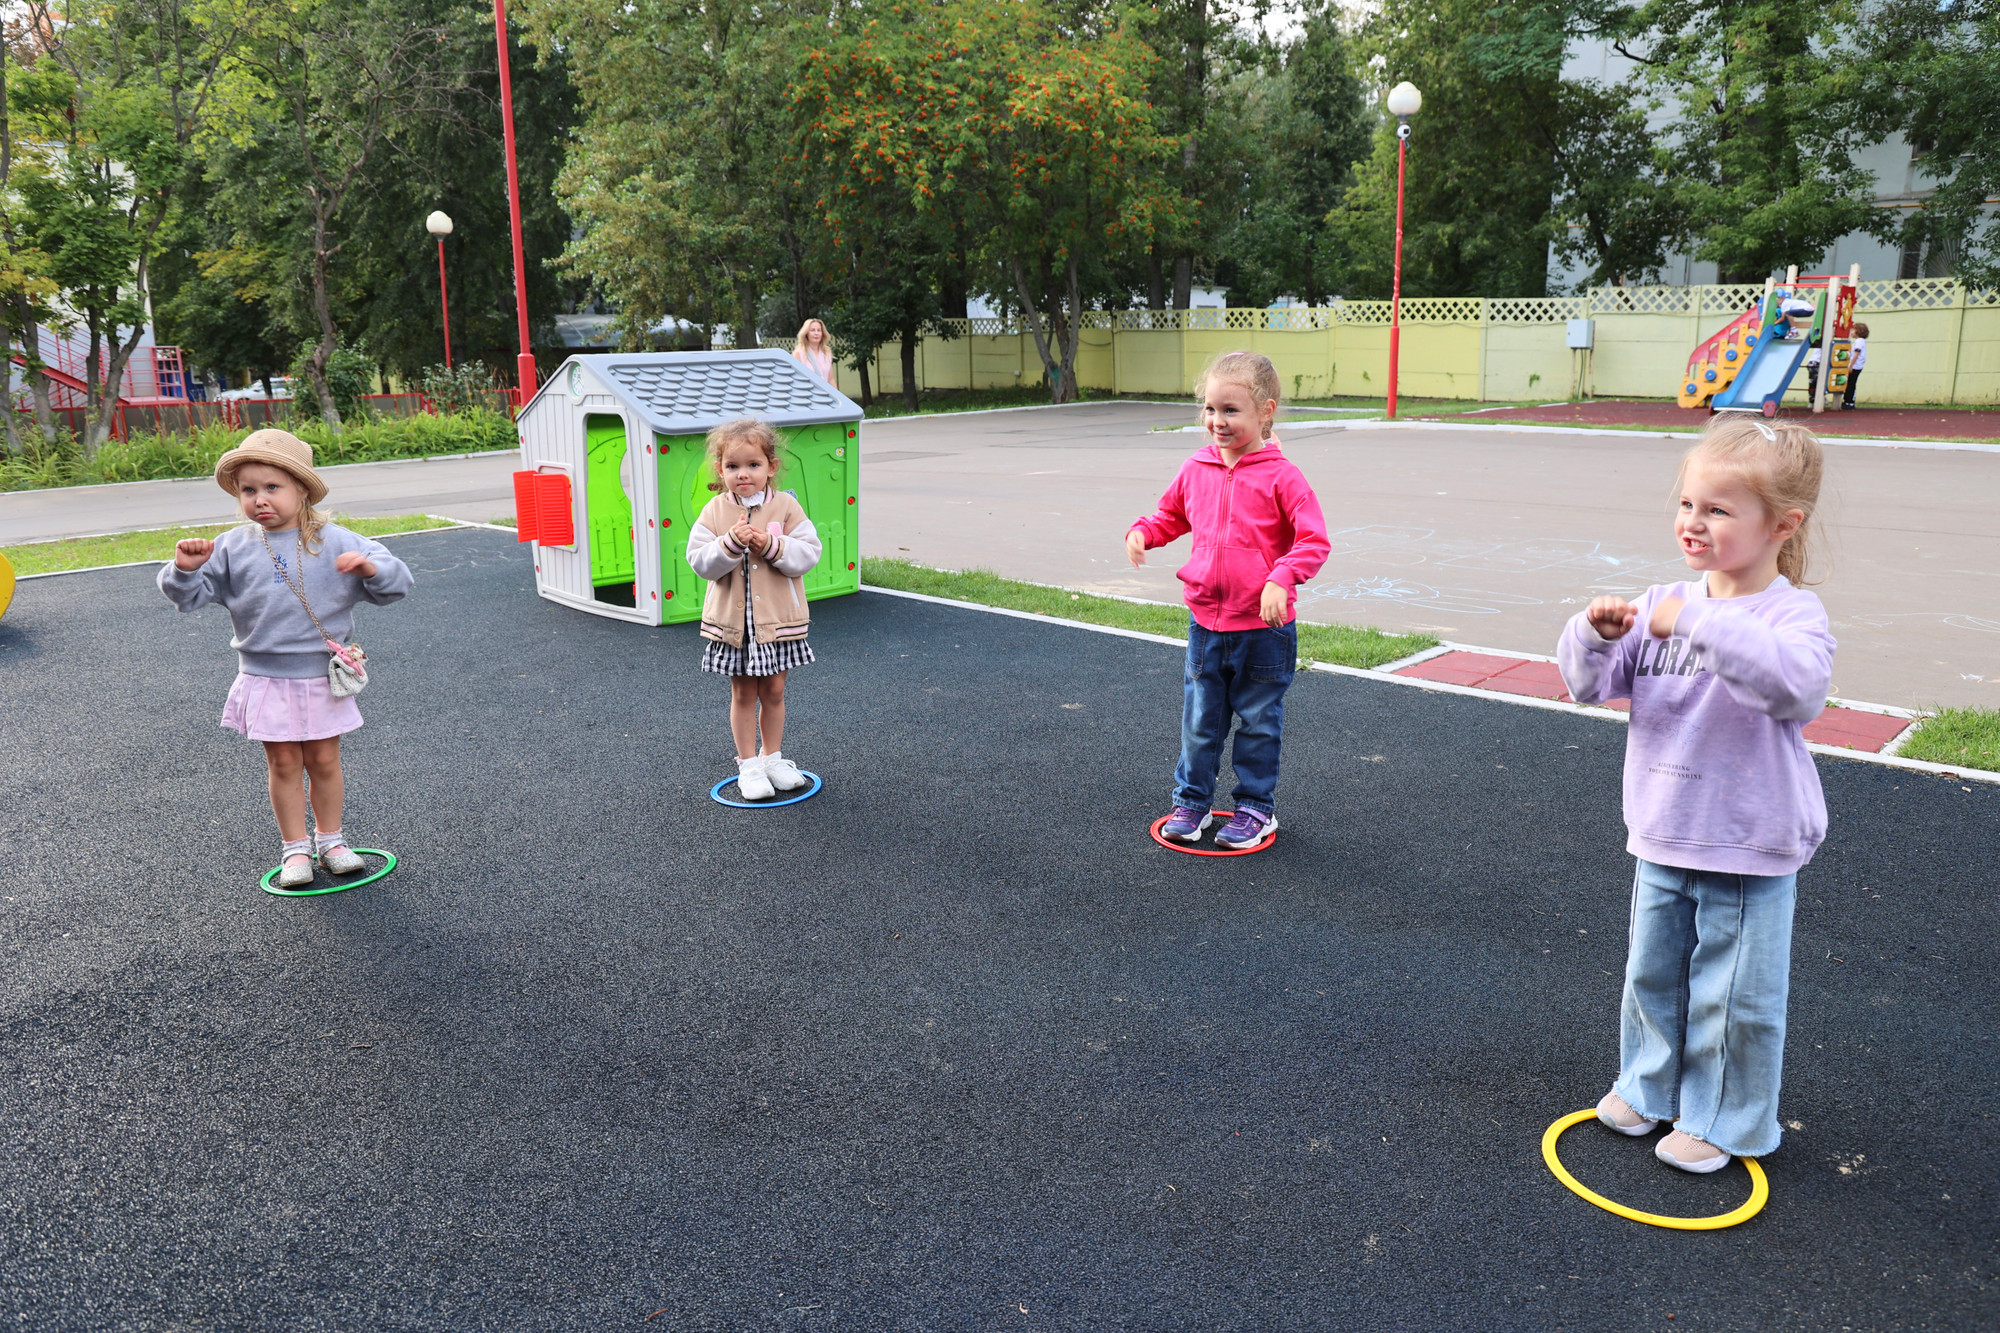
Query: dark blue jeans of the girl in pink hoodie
[[1239, 674]]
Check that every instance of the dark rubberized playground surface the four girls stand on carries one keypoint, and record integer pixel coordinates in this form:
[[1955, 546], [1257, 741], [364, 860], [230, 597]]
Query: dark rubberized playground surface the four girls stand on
[[951, 1046]]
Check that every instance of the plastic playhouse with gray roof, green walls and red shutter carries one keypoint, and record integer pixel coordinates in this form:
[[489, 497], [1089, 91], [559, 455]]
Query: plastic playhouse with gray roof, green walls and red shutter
[[623, 439]]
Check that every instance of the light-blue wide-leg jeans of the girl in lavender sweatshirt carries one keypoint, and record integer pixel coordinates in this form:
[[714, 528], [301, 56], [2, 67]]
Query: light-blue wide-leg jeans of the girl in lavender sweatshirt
[[1703, 1024]]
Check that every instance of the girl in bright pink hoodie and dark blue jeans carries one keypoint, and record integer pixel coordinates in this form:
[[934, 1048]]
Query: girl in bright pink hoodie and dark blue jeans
[[1259, 533]]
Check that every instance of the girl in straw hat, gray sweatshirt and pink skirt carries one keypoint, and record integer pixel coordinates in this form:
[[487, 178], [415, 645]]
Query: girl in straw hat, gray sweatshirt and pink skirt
[[291, 603]]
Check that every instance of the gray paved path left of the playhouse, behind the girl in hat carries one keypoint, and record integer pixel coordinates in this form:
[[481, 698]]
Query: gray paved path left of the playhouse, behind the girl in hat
[[475, 487]]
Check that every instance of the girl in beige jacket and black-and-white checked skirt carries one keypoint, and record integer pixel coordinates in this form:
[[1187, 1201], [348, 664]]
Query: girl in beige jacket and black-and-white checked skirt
[[755, 543]]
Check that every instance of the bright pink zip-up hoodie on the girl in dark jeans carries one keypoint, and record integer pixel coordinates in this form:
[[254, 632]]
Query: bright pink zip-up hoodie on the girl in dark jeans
[[1255, 523]]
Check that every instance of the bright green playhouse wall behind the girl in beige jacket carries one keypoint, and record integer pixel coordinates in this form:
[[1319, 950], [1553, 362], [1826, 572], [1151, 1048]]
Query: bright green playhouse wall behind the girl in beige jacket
[[821, 467]]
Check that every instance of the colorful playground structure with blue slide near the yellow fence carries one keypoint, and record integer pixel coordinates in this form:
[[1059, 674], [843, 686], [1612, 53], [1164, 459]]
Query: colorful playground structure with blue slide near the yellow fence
[[1749, 363]]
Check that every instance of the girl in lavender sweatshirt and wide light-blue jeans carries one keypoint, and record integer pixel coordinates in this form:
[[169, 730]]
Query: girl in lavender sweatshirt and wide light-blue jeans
[[1721, 796]]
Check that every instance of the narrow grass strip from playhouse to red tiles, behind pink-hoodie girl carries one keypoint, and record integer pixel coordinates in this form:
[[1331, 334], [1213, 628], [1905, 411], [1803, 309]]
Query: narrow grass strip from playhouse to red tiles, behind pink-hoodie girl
[[1341, 645]]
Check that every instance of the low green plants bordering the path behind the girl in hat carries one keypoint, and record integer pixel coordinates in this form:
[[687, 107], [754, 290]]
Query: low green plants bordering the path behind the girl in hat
[[151, 457]]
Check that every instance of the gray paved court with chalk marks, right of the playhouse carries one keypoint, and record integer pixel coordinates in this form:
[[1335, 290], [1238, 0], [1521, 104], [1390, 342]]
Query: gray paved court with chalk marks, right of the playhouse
[[1481, 535]]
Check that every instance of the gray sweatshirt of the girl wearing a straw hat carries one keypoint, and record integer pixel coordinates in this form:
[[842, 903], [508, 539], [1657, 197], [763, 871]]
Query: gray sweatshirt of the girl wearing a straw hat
[[275, 637]]
